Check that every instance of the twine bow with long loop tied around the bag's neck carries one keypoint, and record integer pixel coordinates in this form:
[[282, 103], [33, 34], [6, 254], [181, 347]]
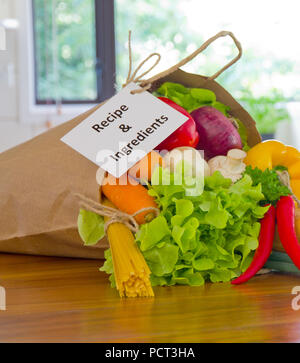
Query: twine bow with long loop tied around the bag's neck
[[146, 84]]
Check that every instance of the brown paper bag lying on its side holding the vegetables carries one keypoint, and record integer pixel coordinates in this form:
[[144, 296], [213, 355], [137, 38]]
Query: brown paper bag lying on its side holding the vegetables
[[38, 179]]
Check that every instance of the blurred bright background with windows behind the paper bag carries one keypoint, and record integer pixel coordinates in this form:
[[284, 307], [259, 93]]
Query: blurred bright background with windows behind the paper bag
[[63, 56]]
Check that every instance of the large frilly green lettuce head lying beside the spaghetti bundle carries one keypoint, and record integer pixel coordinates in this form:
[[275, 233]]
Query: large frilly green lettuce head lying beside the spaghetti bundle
[[209, 236]]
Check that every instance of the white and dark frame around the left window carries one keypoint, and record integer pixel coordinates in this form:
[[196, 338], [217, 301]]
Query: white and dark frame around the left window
[[36, 114]]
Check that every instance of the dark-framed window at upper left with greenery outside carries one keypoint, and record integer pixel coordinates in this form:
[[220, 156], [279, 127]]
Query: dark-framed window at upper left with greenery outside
[[74, 58]]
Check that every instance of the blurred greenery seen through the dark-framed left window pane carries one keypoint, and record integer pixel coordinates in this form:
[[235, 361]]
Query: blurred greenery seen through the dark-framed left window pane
[[65, 49]]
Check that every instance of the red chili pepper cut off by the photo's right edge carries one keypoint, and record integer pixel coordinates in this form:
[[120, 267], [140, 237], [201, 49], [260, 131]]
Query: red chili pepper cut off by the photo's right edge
[[286, 228]]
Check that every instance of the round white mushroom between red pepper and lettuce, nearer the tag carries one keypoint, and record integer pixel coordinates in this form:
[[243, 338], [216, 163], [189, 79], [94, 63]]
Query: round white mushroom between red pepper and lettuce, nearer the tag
[[189, 155]]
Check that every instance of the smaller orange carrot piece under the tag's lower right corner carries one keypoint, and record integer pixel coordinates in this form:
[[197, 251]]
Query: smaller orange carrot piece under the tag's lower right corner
[[144, 168]]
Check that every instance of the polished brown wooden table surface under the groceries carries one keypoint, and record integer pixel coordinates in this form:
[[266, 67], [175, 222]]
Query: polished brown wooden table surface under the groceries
[[68, 300]]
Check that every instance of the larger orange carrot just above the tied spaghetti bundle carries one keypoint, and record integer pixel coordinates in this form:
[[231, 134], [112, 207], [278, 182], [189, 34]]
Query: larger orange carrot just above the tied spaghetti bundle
[[129, 198]]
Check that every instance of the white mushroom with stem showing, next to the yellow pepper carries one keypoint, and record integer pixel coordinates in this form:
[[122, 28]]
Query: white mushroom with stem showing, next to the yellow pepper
[[230, 166]]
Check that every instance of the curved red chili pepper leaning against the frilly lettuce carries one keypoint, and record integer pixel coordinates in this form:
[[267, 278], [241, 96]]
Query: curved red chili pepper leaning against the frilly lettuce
[[266, 237]]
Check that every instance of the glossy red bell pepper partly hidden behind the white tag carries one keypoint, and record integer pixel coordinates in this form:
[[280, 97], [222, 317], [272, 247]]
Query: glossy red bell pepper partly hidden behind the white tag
[[185, 135]]
